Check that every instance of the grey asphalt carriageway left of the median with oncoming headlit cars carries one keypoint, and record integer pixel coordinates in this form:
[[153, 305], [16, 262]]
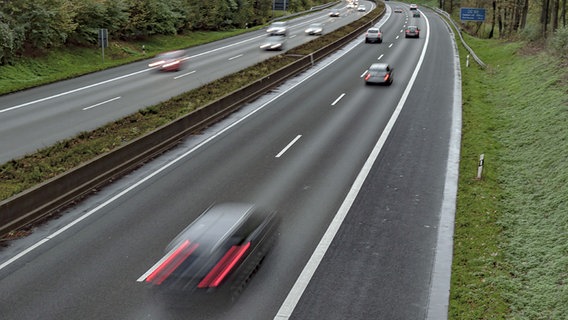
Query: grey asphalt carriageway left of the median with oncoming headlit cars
[[62, 110]]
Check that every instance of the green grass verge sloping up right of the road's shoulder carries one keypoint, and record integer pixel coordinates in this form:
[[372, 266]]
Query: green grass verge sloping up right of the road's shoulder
[[511, 232]]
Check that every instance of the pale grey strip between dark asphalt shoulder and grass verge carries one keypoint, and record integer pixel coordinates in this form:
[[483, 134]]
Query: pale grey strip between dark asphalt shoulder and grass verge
[[439, 295]]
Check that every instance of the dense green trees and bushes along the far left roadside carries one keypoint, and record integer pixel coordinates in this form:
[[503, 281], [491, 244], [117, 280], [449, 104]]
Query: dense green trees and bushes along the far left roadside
[[29, 27]]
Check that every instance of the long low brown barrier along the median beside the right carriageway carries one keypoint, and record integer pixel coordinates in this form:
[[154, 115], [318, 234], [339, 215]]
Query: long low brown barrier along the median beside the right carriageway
[[61, 191]]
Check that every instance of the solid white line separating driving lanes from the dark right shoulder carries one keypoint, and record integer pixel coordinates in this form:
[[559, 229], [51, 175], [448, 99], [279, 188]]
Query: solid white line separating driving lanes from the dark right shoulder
[[307, 273]]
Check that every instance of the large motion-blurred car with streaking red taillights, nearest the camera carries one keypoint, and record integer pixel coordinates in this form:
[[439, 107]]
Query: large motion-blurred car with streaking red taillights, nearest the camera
[[219, 252]]
